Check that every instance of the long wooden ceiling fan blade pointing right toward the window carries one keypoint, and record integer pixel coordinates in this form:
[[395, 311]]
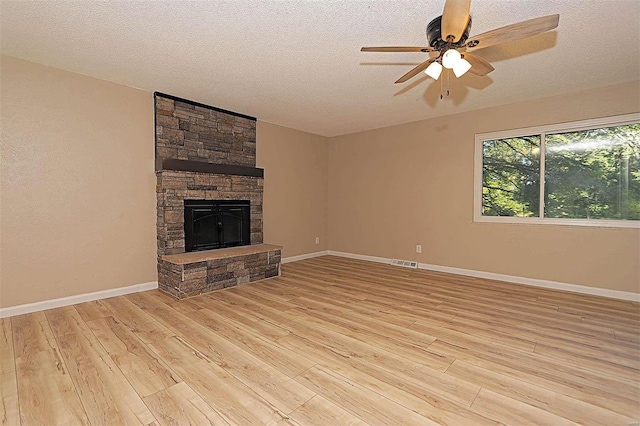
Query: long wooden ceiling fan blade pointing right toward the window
[[513, 32]]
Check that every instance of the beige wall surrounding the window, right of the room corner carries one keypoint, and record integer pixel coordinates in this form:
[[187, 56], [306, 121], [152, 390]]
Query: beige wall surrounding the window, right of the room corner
[[393, 188]]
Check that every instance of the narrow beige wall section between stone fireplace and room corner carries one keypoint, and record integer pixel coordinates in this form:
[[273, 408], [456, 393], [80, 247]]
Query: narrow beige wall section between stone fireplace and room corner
[[295, 188]]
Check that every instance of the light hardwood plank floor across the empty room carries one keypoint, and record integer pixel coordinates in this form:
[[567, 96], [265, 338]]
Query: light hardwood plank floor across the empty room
[[331, 342]]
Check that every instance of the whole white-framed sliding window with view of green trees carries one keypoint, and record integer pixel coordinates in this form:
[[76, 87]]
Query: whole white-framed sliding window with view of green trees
[[581, 173]]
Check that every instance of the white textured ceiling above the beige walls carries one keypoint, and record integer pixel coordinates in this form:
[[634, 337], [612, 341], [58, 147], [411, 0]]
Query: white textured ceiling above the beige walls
[[298, 63]]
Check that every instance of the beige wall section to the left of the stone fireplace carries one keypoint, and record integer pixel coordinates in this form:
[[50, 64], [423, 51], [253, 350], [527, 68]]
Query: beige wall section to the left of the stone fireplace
[[78, 184]]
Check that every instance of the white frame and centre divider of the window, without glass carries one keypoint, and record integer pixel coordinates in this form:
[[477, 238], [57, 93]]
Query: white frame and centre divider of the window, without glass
[[480, 138]]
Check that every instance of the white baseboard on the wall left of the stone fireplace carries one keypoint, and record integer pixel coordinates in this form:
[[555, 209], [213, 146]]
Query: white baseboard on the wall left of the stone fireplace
[[72, 300]]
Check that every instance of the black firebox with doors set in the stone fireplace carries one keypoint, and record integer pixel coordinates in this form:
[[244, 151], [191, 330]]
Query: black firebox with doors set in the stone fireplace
[[212, 224]]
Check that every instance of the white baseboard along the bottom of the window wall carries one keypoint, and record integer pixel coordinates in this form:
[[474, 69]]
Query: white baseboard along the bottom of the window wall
[[575, 288]]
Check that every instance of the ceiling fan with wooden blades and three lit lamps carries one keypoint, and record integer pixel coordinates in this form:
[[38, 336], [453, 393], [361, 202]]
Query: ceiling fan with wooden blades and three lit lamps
[[448, 36]]
